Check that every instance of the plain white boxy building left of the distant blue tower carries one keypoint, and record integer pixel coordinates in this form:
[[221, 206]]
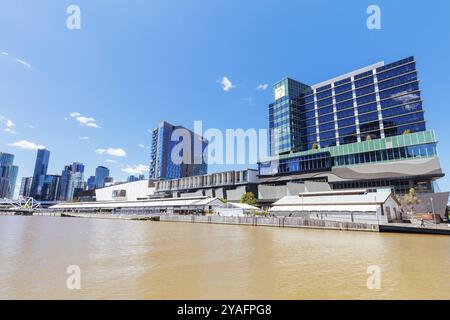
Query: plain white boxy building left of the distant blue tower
[[130, 191]]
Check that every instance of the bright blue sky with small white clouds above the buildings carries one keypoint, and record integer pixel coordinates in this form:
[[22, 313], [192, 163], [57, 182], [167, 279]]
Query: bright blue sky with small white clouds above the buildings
[[135, 63]]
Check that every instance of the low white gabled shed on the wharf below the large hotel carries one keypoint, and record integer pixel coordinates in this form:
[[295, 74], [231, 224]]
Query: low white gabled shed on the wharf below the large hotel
[[343, 205]]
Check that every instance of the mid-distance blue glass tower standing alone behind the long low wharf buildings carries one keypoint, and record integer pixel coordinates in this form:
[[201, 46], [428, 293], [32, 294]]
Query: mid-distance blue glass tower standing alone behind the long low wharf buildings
[[167, 164]]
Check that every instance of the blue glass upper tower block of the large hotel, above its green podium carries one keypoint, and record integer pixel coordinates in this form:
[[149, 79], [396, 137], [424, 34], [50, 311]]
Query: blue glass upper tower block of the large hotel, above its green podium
[[376, 102]]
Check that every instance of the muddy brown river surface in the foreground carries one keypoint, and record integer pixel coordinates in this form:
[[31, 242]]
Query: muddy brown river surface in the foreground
[[120, 259]]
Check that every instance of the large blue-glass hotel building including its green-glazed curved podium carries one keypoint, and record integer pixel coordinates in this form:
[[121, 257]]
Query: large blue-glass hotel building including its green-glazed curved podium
[[364, 129]]
